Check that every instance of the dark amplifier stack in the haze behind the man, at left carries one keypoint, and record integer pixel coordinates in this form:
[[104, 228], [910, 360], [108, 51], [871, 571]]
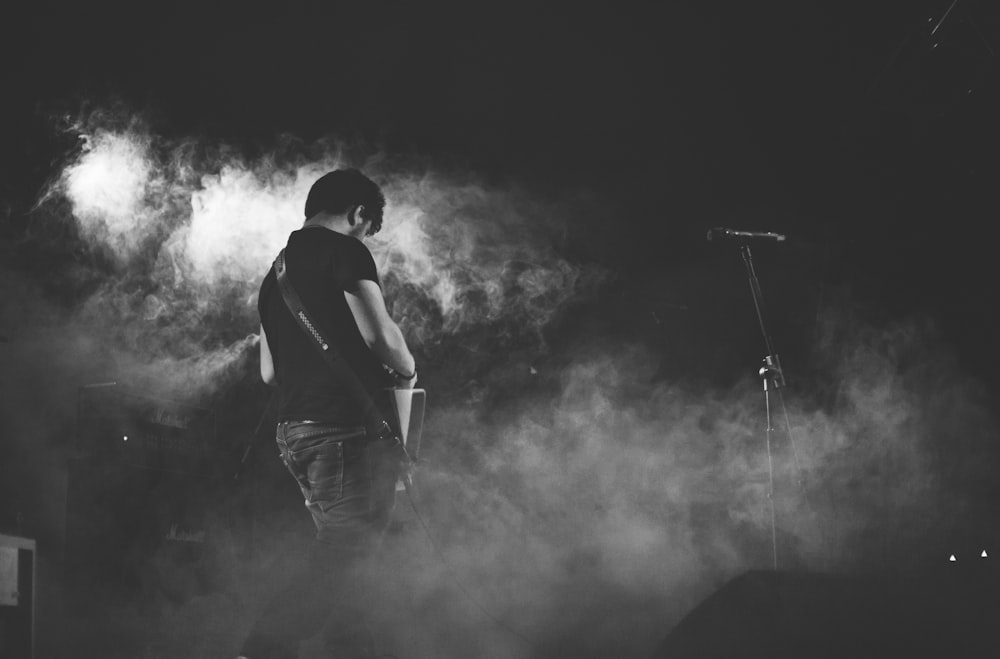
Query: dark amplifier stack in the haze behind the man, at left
[[139, 485]]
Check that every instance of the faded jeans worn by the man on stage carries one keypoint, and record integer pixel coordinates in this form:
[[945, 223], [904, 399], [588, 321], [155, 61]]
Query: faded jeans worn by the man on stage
[[348, 481]]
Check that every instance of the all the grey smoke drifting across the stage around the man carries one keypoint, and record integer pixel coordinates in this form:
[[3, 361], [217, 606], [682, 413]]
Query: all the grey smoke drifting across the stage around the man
[[583, 504]]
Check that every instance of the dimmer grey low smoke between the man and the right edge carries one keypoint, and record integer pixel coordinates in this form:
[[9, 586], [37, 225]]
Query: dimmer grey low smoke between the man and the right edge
[[590, 517]]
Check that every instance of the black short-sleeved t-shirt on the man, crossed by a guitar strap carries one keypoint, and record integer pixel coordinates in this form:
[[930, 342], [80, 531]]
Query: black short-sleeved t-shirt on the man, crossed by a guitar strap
[[322, 265]]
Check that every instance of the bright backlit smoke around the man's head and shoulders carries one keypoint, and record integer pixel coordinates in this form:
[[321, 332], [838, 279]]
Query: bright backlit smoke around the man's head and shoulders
[[190, 229]]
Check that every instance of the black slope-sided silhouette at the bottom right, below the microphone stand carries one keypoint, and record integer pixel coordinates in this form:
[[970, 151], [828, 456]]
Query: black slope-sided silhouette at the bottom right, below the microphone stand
[[782, 615]]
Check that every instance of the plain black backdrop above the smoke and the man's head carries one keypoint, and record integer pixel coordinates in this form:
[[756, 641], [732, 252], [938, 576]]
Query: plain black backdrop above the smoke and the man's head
[[848, 125]]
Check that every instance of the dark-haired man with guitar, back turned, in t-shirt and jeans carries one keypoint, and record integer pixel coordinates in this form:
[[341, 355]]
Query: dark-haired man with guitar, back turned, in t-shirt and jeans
[[347, 476]]
